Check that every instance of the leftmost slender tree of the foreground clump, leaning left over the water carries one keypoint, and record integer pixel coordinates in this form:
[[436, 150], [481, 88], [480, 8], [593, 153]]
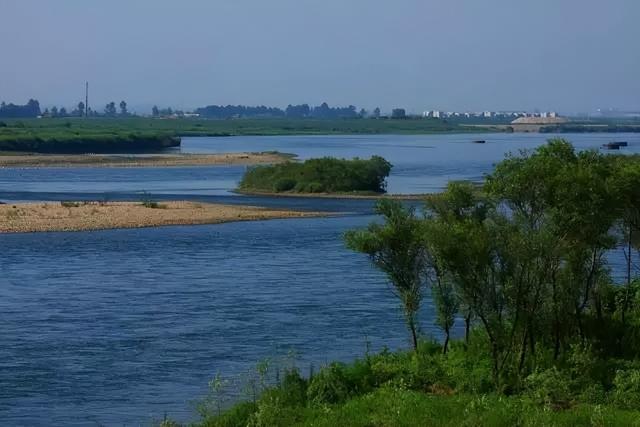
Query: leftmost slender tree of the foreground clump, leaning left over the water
[[397, 249]]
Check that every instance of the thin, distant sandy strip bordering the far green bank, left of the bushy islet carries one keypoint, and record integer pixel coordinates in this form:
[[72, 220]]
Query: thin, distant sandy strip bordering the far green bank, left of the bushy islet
[[103, 160]]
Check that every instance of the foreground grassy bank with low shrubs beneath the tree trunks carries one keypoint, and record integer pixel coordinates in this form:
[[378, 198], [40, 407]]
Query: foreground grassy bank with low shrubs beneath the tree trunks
[[429, 388]]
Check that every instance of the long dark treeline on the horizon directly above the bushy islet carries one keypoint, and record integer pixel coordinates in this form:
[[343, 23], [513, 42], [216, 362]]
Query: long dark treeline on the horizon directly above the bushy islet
[[322, 111]]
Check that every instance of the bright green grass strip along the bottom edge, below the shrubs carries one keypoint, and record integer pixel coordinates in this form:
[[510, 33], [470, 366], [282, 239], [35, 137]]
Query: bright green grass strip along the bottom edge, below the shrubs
[[396, 407]]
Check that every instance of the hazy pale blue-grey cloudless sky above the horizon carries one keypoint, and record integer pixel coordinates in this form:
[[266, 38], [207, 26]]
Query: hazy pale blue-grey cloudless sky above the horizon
[[458, 55]]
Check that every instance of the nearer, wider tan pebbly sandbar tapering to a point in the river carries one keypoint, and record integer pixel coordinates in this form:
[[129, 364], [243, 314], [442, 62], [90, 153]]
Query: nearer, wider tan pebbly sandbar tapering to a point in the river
[[81, 216]]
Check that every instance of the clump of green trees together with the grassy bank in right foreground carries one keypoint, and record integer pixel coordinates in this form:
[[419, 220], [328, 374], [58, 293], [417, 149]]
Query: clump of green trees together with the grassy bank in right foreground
[[552, 337]]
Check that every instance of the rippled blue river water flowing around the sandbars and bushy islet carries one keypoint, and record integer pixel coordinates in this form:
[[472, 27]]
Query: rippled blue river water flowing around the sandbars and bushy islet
[[120, 327]]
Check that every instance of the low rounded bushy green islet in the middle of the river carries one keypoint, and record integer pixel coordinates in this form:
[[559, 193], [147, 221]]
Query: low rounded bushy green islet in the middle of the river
[[325, 175]]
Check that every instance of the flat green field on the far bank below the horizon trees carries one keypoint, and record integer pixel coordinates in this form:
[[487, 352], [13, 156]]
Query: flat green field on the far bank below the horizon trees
[[132, 134]]
